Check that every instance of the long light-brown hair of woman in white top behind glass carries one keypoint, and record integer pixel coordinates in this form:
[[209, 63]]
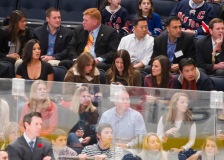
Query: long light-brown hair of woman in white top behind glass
[[172, 110]]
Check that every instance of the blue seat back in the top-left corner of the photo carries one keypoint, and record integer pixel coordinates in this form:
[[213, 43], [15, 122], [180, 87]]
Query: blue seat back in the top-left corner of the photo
[[6, 7]]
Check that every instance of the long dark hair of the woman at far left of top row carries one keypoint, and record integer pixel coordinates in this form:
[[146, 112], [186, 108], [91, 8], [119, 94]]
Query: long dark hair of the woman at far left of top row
[[14, 31]]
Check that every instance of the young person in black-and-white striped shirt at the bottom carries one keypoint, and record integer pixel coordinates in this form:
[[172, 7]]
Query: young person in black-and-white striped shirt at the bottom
[[103, 149]]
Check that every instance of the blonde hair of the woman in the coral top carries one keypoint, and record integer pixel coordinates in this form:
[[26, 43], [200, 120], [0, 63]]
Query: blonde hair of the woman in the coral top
[[33, 101]]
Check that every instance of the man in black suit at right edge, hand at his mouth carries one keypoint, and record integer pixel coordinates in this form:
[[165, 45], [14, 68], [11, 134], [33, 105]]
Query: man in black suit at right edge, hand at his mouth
[[210, 49]]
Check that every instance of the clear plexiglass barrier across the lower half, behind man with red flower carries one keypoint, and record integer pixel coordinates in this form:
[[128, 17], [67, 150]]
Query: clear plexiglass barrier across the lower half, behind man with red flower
[[151, 123]]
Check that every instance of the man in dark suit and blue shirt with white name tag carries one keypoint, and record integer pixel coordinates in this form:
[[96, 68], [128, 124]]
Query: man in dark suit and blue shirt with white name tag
[[174, 43]]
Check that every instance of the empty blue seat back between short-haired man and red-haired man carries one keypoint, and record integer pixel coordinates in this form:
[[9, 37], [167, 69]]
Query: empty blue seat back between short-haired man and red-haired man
[[72, 10]]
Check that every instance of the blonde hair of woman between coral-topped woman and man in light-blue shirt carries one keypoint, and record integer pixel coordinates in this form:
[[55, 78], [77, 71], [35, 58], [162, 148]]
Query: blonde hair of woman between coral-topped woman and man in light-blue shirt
[[75, 103]]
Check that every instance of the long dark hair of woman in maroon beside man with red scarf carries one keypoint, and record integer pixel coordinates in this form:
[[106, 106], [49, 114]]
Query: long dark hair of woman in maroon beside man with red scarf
[[165, 71]]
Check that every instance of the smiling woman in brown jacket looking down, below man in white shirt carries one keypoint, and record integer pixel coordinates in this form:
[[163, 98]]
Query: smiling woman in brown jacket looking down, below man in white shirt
[[122, 71]]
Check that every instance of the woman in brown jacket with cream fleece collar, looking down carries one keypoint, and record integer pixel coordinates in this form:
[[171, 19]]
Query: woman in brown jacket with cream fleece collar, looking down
[[84, 70]]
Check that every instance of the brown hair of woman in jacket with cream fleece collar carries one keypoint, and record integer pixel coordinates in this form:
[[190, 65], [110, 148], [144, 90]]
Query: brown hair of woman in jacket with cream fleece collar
[[82, 61]]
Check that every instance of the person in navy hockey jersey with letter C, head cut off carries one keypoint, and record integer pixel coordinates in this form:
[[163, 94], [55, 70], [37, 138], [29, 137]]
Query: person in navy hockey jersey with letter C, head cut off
[[194, 15]]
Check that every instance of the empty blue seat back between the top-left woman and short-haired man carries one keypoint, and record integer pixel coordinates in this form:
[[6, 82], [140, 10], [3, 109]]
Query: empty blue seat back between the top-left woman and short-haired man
[[35, 10]]
